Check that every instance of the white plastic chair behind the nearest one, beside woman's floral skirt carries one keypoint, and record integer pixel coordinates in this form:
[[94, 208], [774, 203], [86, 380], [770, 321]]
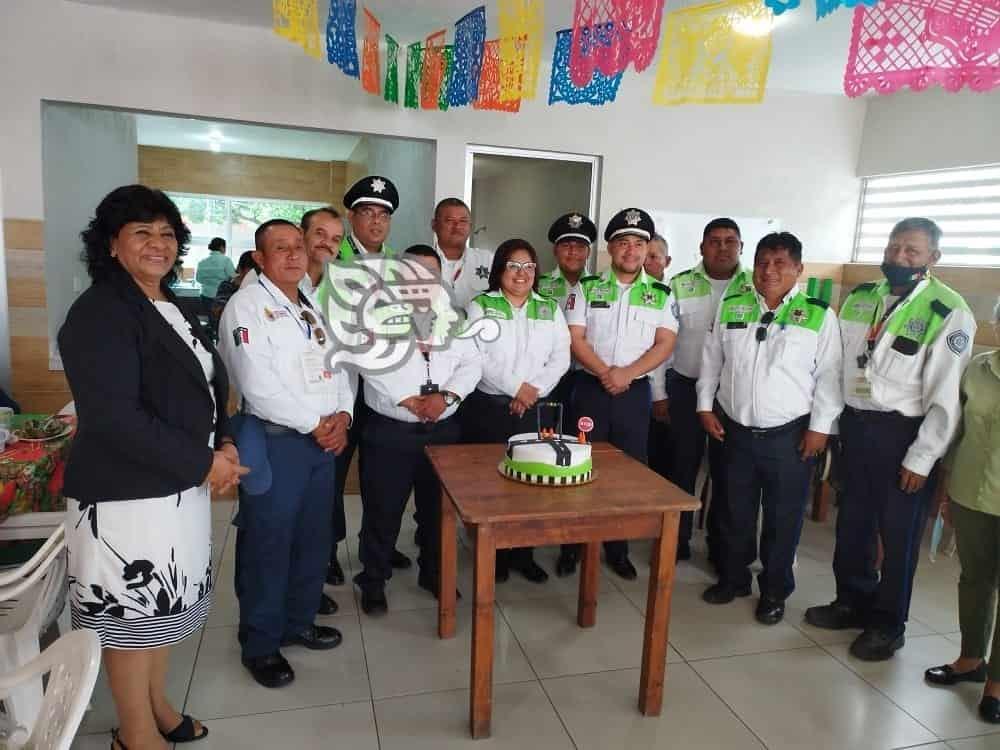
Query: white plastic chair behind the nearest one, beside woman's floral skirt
[[31, 598]]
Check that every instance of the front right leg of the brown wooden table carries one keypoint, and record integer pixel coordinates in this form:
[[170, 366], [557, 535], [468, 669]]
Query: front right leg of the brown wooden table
[[654, 647]]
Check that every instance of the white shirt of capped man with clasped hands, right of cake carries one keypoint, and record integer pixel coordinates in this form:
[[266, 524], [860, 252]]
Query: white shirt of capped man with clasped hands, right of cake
[[619, 332]]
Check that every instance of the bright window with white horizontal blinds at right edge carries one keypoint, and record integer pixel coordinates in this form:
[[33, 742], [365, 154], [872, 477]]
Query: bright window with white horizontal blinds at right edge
[[965, 203]]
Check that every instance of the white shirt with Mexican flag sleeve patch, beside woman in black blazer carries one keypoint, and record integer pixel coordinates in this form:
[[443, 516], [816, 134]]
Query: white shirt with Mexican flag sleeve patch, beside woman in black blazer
[[263, 340]]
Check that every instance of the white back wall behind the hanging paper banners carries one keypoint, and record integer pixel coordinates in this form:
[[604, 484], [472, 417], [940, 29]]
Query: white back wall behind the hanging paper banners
[[793, 156]]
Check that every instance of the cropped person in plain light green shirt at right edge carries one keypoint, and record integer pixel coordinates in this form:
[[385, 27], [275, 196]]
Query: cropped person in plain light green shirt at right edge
[[971, 494]]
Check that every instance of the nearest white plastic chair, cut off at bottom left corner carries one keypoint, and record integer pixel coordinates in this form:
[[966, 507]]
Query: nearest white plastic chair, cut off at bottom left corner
[[72, 664]]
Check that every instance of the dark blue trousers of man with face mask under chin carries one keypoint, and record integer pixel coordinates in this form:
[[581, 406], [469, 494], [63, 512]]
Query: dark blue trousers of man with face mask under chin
[[873, 506]]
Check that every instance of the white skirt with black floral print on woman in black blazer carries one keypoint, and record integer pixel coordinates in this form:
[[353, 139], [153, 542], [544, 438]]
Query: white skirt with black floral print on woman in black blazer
[[140, 571]]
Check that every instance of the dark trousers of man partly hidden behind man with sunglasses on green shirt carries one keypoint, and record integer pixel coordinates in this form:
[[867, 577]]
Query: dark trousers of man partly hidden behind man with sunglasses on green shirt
[[688, 448]]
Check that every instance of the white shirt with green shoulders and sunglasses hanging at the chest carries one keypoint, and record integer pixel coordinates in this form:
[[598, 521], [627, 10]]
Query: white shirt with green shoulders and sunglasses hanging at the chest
[[791, 373]]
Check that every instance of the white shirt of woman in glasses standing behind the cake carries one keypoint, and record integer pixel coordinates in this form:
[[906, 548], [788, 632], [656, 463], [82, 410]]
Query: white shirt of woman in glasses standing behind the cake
[[534, 351]]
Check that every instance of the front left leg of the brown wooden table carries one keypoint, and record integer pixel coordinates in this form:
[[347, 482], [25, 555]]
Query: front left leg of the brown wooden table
[[481, 703]]
